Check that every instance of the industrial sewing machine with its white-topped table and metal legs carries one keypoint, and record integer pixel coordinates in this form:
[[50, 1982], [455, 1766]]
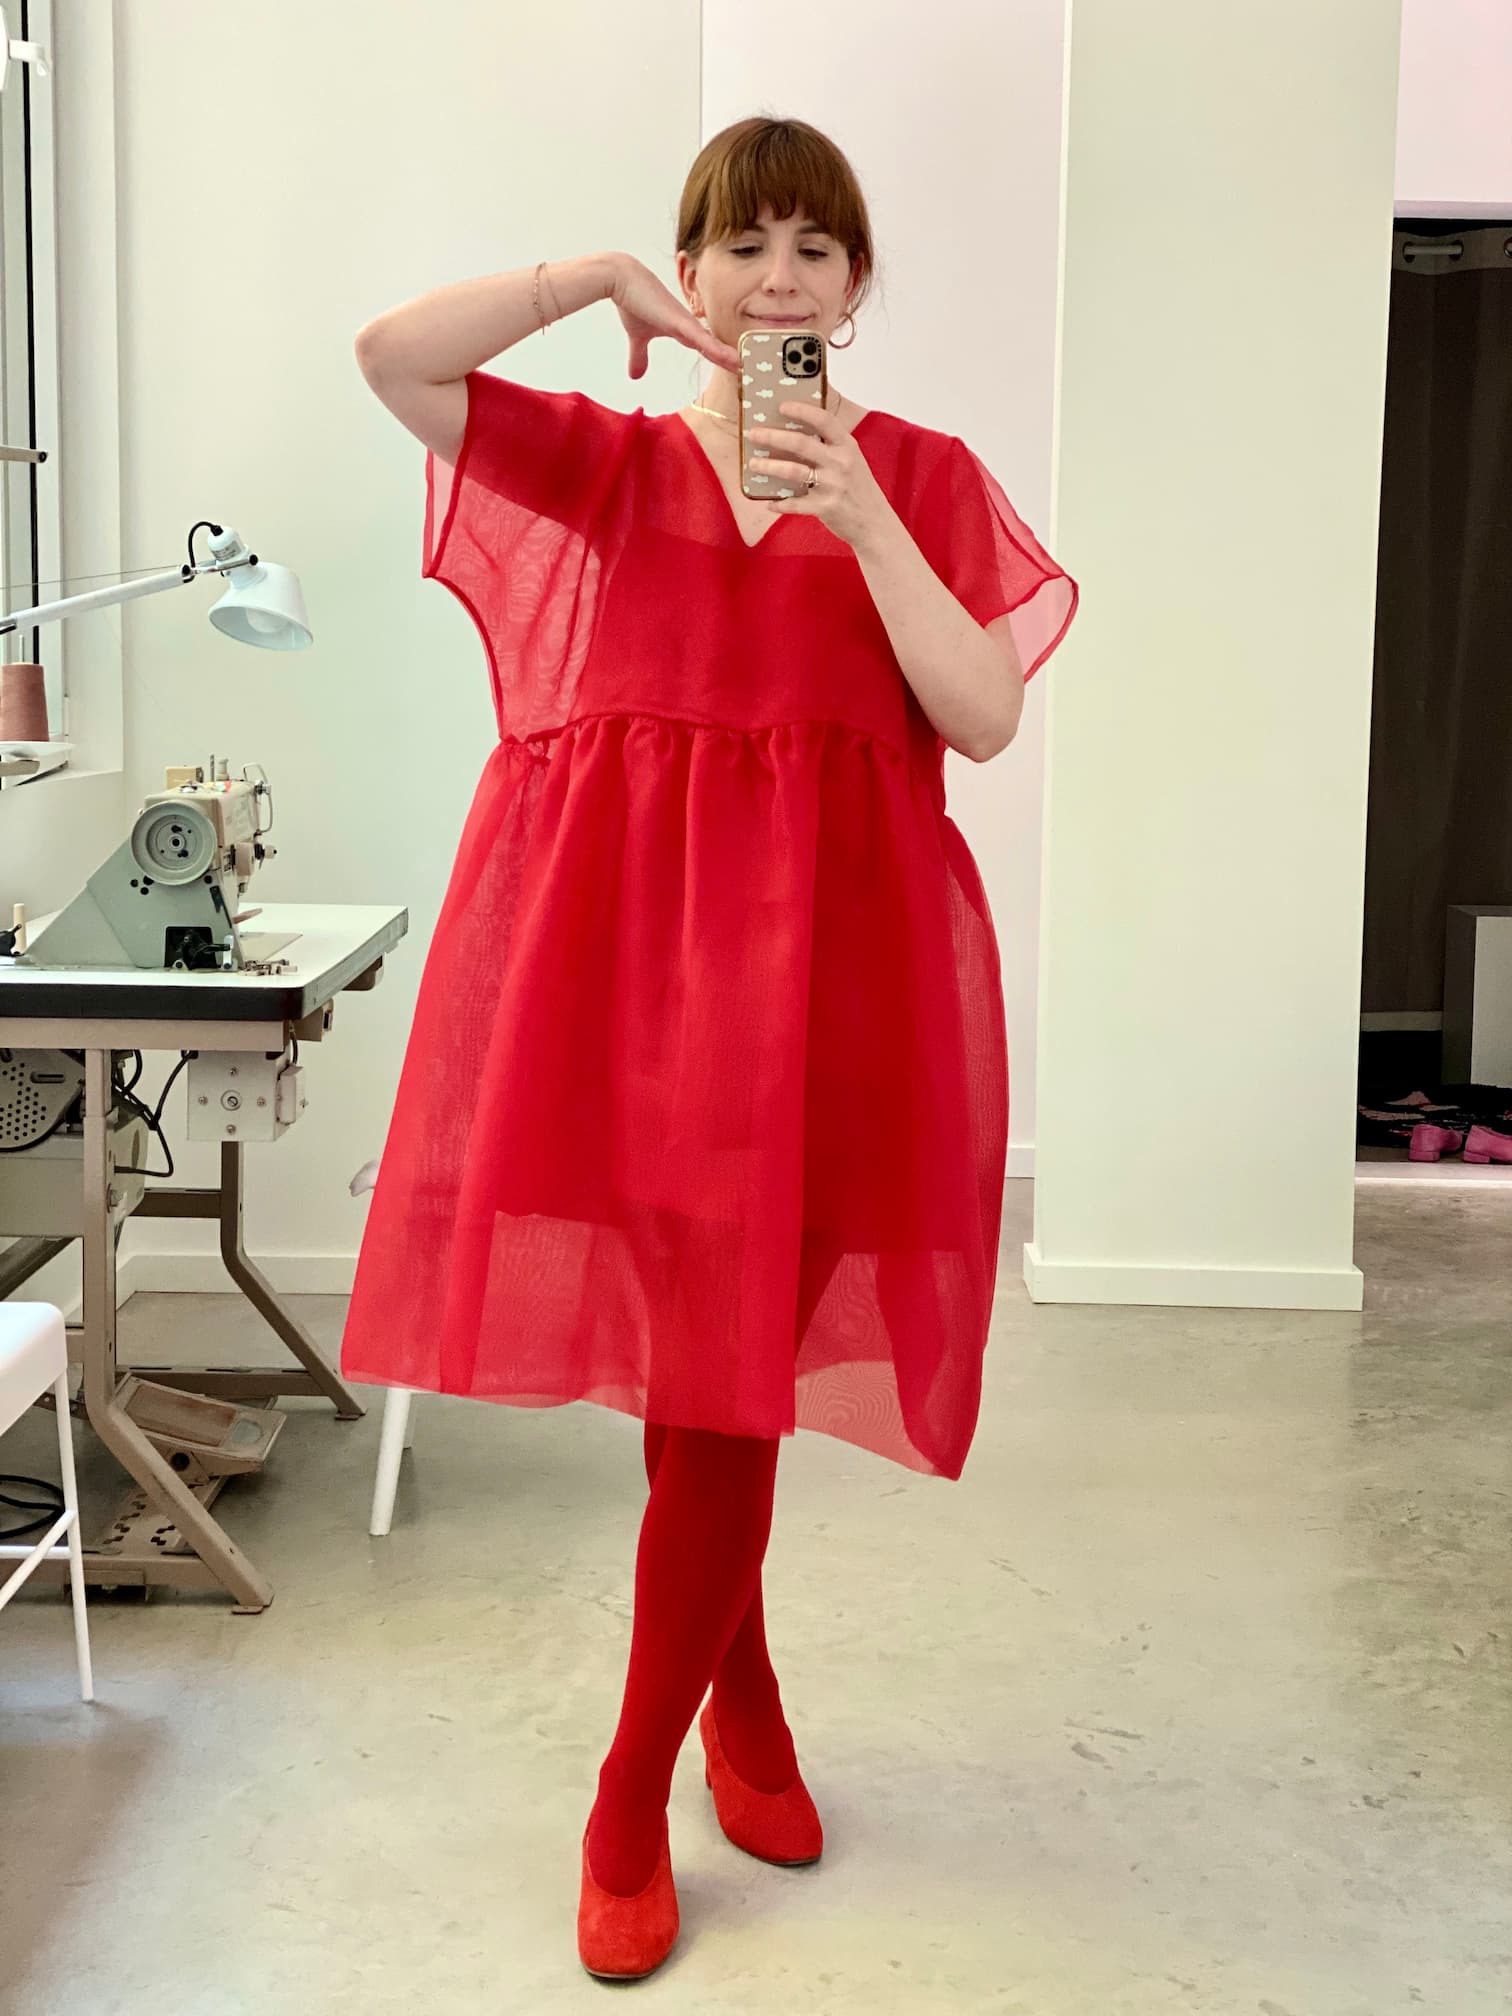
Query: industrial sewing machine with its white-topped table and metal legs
[[152, 957]]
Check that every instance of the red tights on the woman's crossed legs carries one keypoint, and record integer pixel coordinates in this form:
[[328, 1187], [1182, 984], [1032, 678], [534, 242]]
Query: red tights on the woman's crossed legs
[[699, 1618]]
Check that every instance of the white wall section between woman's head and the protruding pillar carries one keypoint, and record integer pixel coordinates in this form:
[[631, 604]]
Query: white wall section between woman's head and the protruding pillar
[[957, 140]]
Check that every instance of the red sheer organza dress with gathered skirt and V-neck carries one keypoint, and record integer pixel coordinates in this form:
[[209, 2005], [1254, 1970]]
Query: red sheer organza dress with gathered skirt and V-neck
[[707, 1100]]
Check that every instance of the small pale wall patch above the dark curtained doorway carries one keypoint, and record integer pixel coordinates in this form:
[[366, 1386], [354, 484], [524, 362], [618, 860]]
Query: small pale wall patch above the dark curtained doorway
[[1455, 124]]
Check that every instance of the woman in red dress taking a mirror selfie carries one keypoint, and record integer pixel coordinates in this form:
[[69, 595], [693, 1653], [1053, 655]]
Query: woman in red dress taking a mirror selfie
[[705, 1108]]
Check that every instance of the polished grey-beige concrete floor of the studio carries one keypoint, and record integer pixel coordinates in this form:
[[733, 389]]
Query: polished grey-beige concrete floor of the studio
[[1190, 1696]]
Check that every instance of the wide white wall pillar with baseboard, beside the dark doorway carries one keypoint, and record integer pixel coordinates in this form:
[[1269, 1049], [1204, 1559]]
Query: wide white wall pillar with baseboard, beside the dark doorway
[[1209, 733]]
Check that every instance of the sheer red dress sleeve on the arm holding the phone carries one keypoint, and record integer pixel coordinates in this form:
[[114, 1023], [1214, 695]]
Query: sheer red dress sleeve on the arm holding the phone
[[989, 557]]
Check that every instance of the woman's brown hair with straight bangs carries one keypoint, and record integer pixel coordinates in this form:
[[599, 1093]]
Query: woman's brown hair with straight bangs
[[783, 164]]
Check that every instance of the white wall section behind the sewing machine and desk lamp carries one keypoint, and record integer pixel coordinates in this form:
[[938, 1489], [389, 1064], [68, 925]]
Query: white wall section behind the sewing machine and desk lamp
[[279, 186]]
